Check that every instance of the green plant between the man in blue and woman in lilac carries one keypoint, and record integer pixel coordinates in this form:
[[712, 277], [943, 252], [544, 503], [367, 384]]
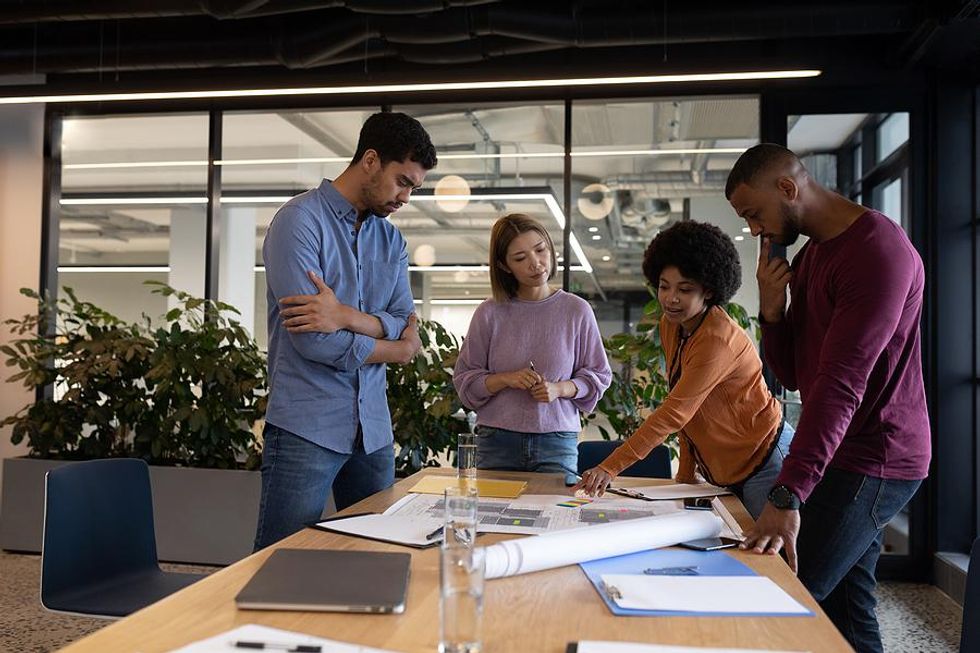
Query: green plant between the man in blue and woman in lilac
[[423, 401]]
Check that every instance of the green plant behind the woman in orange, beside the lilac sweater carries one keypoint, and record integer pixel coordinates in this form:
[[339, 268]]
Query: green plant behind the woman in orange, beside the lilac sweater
[[639, 382]]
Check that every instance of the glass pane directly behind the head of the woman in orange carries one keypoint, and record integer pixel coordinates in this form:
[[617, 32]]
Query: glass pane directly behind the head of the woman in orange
[[639, 166]]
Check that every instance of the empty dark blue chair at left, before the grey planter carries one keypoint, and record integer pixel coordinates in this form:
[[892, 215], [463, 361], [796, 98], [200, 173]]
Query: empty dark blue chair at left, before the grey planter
[[99, 552]]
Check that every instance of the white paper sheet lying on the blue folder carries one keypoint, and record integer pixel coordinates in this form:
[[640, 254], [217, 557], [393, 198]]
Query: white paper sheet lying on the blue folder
[[714, 594]]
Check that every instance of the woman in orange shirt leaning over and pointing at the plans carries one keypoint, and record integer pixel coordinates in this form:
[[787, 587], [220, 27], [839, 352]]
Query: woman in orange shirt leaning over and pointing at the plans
[[730, 427]]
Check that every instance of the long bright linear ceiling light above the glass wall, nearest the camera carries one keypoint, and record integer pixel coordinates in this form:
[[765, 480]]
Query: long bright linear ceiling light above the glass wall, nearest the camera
[[415, 88]]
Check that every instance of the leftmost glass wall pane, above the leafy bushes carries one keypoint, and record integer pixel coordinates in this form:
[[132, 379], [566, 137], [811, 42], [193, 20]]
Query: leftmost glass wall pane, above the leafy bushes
[[132, 208]]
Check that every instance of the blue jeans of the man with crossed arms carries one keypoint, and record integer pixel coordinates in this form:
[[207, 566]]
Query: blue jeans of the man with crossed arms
[[297, 477]]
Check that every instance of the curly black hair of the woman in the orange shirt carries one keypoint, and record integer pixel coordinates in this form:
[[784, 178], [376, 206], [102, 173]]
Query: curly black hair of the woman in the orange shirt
[[702, 252]]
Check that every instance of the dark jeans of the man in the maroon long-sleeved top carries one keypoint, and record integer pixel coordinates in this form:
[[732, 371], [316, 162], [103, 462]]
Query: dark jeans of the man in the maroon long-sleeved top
[[840, 540]]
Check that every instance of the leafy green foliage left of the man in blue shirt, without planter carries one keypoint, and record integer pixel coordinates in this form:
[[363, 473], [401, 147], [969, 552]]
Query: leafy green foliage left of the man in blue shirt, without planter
[[182, 394]]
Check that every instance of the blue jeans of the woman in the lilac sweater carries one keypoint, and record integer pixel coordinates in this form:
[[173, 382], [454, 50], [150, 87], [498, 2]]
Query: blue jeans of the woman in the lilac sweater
[[513, 451]]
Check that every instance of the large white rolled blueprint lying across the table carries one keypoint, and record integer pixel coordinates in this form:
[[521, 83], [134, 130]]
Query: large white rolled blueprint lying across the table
[[570, 547]]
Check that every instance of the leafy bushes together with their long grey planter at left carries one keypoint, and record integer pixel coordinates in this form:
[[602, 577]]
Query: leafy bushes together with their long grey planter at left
[[184, 396]]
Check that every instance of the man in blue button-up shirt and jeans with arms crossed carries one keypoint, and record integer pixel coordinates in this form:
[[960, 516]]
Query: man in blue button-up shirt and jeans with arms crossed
[[327, 424]]
